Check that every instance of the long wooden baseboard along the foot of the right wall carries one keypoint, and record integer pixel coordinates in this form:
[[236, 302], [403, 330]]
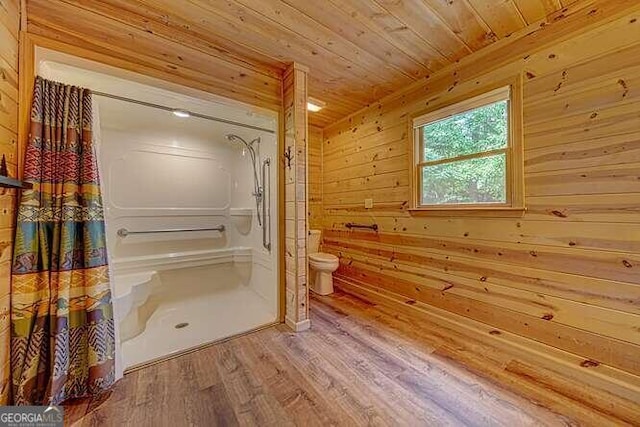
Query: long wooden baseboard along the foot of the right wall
[[562, 364]]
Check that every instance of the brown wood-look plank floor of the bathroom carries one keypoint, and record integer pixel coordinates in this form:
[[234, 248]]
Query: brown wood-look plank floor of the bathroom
[[360, 364]]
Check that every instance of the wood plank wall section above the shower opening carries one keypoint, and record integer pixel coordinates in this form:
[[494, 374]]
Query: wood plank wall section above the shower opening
[[133, 42]]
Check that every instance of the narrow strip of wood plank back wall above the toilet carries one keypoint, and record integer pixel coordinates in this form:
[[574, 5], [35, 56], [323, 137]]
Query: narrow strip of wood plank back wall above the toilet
[[314, 163]]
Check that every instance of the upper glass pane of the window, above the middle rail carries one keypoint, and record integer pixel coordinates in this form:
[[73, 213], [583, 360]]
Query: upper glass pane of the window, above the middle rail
[[474, 131]]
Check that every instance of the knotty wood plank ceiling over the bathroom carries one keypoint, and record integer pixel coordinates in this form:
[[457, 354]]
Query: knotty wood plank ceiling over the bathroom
[[357, 50]]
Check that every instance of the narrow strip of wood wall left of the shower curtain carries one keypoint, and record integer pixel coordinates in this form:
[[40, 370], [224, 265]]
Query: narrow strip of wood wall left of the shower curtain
[[9, 35]]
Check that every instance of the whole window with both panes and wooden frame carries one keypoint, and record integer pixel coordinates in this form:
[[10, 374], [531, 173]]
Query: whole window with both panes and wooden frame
[[468, 155]]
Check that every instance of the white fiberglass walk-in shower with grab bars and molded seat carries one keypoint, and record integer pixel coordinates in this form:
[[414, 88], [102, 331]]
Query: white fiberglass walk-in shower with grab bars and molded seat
[[191, 211]]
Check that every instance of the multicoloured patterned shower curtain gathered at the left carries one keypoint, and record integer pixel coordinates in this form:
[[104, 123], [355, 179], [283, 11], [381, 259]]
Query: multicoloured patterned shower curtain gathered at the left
[[62, 343]]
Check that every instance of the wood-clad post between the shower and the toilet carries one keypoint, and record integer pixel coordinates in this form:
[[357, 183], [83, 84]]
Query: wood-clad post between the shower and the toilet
[[294, 100]]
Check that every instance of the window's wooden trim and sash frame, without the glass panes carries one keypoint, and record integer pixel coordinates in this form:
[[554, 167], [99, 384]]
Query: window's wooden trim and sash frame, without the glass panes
[[514, 174]]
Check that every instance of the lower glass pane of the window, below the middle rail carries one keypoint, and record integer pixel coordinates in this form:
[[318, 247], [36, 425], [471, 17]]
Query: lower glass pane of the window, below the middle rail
[[479, 180]]
